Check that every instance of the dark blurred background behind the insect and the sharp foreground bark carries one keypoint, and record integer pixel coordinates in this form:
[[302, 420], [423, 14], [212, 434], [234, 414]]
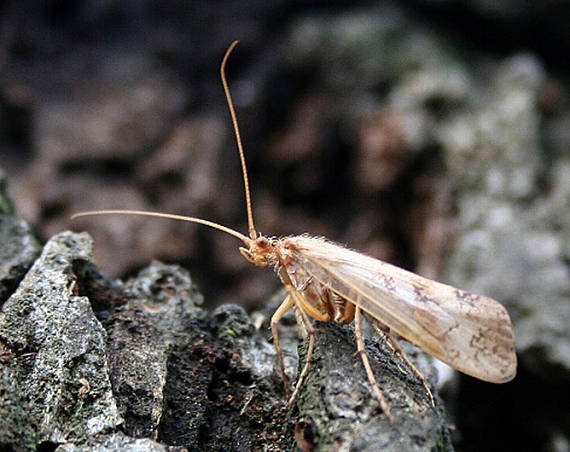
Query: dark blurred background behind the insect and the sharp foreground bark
[[431, 134]]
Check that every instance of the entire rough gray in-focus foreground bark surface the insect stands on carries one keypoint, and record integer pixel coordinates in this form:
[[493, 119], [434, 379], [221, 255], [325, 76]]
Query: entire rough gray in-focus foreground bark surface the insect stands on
[[98, 365]]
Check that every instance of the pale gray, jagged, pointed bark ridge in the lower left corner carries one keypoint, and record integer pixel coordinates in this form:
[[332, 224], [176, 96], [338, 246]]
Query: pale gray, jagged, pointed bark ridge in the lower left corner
[[54, 351]]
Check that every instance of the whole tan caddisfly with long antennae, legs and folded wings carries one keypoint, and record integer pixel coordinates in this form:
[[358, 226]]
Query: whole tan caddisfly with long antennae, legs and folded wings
[[330, 283]]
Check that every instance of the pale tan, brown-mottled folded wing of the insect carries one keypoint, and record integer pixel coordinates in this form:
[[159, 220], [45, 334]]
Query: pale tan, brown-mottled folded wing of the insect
[[471, 333]]
